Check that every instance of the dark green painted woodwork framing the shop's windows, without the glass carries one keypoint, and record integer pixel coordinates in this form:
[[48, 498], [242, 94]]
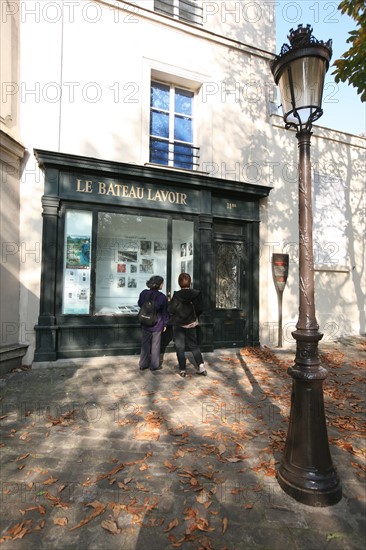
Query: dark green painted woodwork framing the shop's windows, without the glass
[[207, 198]]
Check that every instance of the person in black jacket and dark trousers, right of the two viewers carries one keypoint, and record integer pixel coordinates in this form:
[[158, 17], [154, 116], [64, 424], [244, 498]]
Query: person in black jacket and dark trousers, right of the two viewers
[[184, 309]]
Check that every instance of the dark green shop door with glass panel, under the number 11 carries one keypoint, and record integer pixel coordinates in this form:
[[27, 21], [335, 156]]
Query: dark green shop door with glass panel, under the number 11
[[229, 313]]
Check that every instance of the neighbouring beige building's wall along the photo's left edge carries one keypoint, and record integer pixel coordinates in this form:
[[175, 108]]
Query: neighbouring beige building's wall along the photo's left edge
[[12, 341]]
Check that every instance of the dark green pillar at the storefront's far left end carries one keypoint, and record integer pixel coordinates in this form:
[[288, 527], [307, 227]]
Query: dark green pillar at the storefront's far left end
[[46, 329]]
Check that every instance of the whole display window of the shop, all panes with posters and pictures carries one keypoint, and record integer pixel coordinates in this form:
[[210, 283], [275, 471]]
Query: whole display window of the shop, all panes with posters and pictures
[[129, 249]]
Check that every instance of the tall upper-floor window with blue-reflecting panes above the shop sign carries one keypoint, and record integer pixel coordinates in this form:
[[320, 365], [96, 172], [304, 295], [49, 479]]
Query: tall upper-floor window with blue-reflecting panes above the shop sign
[[171, 126]]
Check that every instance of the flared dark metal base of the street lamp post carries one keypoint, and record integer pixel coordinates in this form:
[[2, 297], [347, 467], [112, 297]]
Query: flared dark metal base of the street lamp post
[[306, 472]]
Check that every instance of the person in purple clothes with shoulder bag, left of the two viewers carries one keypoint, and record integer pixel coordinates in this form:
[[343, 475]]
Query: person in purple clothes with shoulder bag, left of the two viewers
[[151, 336]]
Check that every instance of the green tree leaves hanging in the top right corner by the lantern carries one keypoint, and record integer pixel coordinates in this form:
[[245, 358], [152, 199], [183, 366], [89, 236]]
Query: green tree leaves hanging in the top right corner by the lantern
[[351, 66]]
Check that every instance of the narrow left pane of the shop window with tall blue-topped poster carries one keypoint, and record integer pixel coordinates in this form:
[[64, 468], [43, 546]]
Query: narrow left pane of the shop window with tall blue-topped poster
[[77, 262]]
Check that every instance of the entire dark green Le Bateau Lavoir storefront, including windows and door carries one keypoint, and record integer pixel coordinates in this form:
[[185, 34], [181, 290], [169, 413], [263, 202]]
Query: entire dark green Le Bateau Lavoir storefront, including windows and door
[[108, 226]]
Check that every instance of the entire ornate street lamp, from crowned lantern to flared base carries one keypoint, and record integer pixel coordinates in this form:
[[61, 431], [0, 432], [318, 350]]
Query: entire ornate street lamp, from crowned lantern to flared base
[[306, 472]]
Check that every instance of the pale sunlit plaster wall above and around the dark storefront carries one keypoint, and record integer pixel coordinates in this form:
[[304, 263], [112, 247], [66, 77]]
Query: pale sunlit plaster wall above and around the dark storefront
[[85, 83]]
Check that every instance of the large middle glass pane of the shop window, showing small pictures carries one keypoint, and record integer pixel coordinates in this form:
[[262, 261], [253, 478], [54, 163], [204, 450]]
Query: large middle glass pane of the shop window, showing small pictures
[[130, 249]]
